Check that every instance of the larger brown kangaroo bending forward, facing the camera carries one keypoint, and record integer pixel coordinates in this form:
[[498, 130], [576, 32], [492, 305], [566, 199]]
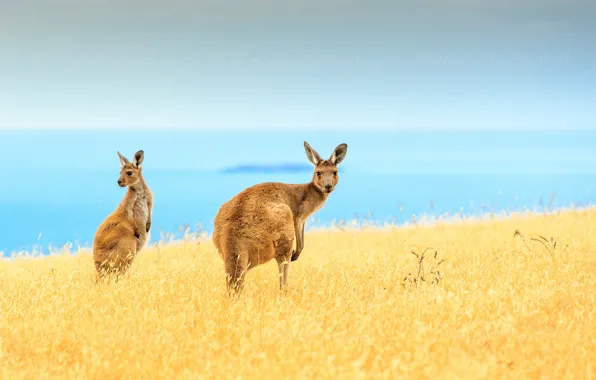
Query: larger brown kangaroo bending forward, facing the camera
[[266, 221]]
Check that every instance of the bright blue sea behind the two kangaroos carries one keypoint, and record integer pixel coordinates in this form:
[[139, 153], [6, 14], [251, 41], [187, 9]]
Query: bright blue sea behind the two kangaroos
[[58, 186]]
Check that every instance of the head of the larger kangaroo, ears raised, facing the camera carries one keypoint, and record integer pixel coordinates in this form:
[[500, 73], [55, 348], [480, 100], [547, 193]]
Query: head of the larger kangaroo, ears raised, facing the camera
[[325, 177]]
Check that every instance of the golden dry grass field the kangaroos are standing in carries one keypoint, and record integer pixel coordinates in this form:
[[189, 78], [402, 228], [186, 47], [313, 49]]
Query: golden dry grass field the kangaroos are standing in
[[506, 306]]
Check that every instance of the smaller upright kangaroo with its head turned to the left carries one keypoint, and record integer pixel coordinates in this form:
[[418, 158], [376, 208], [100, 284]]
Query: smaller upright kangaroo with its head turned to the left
[[126, 231]]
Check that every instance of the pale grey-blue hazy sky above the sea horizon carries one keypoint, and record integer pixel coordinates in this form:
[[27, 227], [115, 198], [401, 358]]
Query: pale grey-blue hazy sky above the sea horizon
[[454, 64]]
